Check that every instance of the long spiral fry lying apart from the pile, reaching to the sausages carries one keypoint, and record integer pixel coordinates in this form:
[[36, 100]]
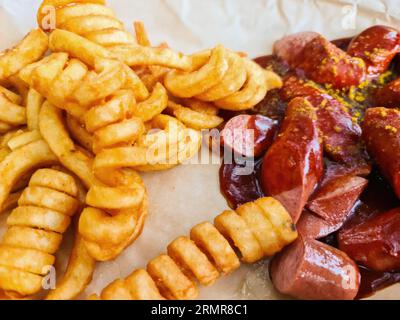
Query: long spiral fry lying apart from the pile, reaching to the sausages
[[210, 250]]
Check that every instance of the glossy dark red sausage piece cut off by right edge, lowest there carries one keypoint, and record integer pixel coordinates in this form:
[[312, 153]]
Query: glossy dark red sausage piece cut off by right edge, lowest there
[[374, 243]]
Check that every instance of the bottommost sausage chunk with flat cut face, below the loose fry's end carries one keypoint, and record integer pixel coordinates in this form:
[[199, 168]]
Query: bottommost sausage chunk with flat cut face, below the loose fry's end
[[309, 269]]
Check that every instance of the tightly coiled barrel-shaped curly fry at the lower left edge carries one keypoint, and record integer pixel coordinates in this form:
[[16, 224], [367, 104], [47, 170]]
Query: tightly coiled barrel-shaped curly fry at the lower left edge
[[35, 230]]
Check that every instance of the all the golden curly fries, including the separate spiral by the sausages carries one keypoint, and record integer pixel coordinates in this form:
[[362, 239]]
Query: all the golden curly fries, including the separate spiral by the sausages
[[84, 107]]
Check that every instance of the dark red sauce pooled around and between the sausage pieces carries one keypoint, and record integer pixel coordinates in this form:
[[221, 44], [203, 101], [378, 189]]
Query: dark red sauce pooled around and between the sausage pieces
[[378, 196]]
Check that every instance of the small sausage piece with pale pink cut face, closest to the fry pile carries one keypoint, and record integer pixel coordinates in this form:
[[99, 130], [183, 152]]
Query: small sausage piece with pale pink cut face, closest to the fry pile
[[249, 135]]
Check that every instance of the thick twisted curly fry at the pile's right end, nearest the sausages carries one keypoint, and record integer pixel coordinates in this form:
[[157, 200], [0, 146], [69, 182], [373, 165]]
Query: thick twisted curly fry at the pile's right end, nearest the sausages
[[229, 80]]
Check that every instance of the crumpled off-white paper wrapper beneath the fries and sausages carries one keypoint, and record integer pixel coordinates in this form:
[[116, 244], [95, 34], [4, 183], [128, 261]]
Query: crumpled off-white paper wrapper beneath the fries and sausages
[[189, 194]]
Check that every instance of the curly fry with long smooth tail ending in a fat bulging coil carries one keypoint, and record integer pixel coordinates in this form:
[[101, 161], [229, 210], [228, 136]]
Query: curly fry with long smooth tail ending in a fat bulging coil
[[126, 223]]
